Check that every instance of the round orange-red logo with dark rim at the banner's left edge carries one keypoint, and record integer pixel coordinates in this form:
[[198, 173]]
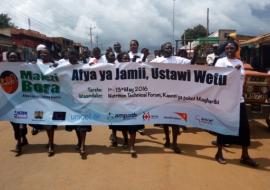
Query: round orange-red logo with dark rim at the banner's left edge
[[9, 82]]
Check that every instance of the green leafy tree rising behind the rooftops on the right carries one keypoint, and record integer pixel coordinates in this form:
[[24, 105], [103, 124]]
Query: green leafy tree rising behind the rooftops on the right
[[191, 34]]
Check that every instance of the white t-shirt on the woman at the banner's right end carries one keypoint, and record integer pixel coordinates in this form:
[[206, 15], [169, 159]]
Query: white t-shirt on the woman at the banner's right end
[[232, 63]]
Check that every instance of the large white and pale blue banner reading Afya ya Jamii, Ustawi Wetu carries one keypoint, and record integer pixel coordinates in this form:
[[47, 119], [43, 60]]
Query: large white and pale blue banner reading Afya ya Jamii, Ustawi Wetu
[[121, 94]]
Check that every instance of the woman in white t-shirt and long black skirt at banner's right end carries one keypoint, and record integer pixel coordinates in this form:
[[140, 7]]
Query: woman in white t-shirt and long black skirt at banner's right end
[[244, 134]]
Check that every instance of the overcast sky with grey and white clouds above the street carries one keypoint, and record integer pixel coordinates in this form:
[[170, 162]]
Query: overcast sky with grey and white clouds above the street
[[148, 21]]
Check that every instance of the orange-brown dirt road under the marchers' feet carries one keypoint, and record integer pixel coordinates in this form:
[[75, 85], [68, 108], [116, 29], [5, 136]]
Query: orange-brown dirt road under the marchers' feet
[[155, 167]]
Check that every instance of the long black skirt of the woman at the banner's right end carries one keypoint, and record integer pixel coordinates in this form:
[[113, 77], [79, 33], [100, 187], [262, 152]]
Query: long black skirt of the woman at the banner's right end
[[244, 134]]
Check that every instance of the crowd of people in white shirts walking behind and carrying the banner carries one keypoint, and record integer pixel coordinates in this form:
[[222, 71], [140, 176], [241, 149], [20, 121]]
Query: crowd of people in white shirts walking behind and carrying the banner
[[114, 55]]
